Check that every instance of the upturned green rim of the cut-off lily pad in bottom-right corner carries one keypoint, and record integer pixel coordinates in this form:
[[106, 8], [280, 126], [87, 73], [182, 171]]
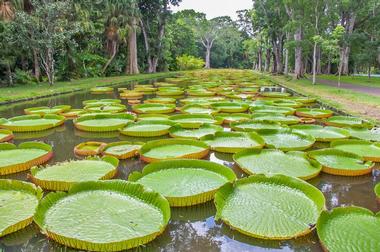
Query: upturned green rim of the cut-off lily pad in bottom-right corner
[[345, 210]]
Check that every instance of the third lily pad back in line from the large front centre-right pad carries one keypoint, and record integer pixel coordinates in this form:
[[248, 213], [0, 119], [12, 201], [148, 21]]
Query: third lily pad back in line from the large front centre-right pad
[[287, 139]]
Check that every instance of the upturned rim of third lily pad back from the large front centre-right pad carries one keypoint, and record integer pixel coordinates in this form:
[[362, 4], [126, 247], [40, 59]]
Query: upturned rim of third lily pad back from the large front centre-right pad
[[310, 138]]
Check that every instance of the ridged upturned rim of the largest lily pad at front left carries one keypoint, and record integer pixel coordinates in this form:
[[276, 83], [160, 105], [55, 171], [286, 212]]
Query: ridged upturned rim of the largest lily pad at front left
[[134, 190]]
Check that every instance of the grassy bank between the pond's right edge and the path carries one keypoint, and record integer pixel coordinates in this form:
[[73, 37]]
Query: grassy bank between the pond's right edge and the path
[[351, 102]]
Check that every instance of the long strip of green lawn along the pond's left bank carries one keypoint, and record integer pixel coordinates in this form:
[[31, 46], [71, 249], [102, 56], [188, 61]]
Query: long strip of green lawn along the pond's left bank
[[37, 90]]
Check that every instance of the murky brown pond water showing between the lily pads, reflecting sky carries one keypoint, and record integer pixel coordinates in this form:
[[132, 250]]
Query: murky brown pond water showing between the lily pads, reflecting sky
[[190, 228]]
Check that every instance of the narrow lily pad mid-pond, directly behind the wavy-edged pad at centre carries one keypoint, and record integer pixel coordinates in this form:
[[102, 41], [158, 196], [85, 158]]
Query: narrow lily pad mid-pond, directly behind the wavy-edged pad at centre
[[195, 120]]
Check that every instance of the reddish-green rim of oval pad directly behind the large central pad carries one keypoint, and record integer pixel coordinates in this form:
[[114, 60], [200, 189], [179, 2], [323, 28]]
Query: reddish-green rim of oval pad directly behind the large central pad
[[157, 143]]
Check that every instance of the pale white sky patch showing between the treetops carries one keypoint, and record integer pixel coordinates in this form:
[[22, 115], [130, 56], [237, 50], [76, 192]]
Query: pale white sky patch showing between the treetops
[[215, 8]]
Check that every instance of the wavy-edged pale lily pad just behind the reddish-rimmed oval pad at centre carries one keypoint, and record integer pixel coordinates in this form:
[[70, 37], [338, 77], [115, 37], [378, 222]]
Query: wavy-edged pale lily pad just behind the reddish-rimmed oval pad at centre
[[206, 129]]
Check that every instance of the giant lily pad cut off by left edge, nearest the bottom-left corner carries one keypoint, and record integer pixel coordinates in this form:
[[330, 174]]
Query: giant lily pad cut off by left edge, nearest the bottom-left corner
[[19, 201]]
